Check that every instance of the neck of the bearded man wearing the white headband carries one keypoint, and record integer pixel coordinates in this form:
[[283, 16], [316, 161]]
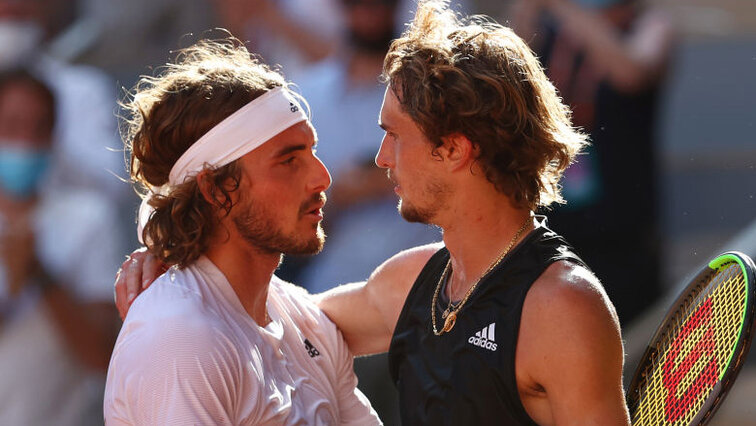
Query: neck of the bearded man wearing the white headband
[[249, 271]]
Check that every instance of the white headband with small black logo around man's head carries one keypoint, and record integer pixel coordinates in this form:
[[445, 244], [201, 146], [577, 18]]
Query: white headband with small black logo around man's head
[[237, 135]]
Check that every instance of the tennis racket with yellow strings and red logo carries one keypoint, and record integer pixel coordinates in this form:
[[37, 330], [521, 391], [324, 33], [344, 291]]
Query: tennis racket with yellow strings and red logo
[[697, 351]]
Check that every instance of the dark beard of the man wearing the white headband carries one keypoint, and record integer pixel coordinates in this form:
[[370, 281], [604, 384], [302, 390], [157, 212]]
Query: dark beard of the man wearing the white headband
[[258, 227]]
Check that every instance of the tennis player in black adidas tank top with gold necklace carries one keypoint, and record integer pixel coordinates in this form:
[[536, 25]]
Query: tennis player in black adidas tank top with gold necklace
[[477, 139]]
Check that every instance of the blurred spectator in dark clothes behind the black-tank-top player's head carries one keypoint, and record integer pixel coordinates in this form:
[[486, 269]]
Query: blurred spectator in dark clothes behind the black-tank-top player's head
[[607, 58]]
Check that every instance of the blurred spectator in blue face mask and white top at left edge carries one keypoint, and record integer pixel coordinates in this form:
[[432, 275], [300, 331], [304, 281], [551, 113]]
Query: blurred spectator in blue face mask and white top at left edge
[[58, 253]]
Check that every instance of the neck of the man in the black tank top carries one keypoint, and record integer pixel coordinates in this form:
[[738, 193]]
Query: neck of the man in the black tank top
[[476, 234]]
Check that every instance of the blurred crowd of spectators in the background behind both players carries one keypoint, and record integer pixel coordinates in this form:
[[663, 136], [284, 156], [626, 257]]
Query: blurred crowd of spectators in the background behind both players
[[67, 214]]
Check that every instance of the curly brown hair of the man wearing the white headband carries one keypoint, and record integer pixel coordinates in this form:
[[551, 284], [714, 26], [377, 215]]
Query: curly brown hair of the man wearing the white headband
[[164, 116]]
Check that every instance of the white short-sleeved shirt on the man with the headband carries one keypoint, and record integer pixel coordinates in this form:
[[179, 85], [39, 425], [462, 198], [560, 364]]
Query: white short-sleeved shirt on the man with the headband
[[188, 353]]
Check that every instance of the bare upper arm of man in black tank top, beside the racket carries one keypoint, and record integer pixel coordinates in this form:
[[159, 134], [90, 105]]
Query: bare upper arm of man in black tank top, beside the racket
[[570, 349]]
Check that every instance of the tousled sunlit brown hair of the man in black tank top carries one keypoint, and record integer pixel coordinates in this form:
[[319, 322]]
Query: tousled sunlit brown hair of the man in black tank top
[[476, 78]]
